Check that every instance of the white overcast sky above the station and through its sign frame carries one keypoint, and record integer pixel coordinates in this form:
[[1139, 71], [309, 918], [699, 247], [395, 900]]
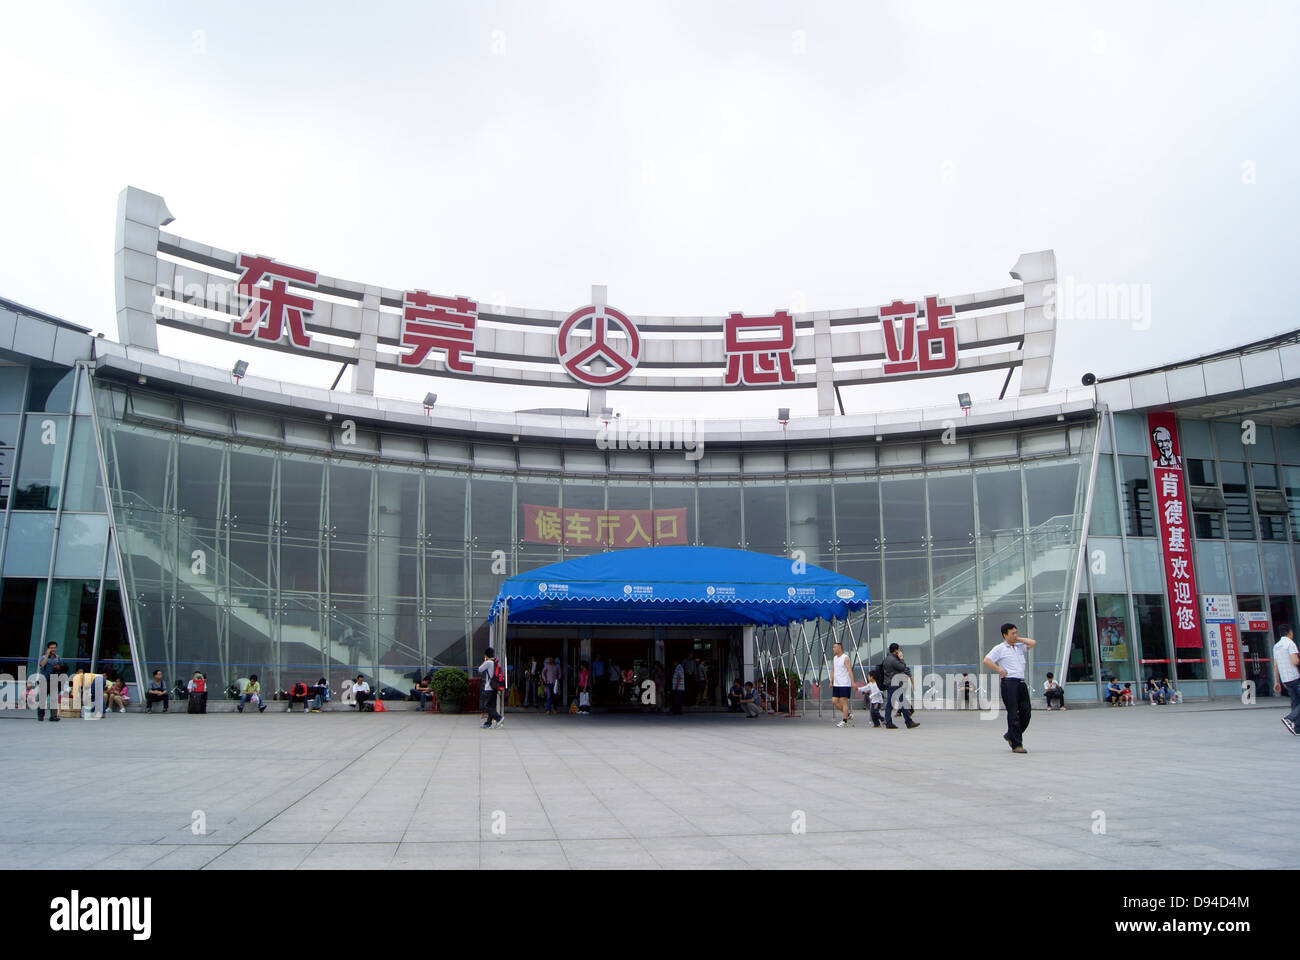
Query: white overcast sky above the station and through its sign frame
[[697, 158]]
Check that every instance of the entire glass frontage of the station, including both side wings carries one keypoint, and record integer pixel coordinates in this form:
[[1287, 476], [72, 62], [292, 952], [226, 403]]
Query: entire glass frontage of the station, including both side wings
[[253, 543]]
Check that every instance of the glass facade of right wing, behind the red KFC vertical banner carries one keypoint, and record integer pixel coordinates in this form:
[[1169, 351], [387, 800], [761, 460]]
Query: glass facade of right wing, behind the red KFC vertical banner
[[1243, 486]]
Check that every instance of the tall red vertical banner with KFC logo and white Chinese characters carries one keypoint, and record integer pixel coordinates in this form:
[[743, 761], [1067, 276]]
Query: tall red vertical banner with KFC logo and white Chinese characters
[[1173, 521]]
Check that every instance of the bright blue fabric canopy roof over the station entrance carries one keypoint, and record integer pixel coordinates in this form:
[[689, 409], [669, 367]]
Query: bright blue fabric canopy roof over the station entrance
[[697, 586]]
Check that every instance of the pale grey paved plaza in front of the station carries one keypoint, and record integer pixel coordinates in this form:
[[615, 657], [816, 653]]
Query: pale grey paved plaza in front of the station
[[1207, 786]]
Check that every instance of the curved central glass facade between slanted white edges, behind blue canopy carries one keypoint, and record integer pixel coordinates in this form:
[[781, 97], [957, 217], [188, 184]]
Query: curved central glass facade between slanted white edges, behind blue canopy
[[245, 550]]
